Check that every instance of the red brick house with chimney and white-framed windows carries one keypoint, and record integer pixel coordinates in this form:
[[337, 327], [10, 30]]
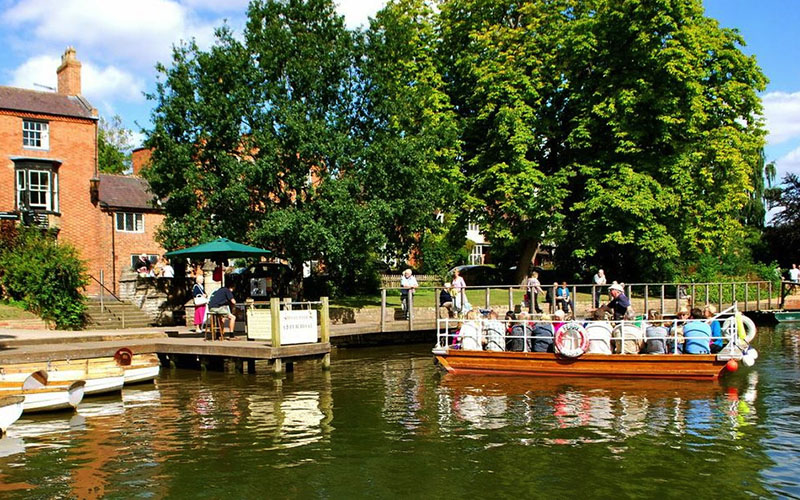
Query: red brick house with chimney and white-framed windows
[[49, 175]]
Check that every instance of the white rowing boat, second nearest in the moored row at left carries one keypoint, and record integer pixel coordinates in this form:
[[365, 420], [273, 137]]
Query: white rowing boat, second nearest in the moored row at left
[[41, 394]]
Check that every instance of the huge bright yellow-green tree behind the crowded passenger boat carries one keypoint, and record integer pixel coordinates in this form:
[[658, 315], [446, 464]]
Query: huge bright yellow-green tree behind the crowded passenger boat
[[628, 132]]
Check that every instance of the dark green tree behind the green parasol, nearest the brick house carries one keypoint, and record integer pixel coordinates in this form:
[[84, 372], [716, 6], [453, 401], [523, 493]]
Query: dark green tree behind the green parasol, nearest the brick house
[[252, 141]]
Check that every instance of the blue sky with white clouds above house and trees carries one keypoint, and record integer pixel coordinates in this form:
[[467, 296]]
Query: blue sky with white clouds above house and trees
[[119, 43]]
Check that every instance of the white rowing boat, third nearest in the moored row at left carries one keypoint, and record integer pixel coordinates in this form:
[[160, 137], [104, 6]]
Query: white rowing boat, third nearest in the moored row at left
[[99, 380]]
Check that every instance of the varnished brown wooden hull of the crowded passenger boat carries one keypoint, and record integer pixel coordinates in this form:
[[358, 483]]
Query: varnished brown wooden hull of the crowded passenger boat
[[626, 366]]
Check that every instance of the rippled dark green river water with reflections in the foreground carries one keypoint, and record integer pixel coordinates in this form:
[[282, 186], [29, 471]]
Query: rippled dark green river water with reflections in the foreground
[[385, 423]]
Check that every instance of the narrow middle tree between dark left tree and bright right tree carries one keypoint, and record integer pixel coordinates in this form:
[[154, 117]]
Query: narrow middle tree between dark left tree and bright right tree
[[409, 130]]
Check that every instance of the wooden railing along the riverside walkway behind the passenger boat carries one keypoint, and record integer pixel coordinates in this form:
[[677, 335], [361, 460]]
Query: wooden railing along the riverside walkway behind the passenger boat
[[423, 306]]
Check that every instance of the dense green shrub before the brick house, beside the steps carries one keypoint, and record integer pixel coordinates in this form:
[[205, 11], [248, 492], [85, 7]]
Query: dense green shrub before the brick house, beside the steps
[[46, 276]]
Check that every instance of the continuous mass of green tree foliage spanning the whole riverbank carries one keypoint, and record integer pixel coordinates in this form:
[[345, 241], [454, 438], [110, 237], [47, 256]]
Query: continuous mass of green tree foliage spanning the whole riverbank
[[626, 133]]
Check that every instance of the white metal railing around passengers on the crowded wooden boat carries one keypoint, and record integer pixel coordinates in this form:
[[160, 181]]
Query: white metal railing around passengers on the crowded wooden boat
[[495, 334]]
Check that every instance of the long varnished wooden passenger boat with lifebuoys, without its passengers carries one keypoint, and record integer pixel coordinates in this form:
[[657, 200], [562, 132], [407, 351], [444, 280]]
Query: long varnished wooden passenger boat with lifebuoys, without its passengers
[[572, 360]]
